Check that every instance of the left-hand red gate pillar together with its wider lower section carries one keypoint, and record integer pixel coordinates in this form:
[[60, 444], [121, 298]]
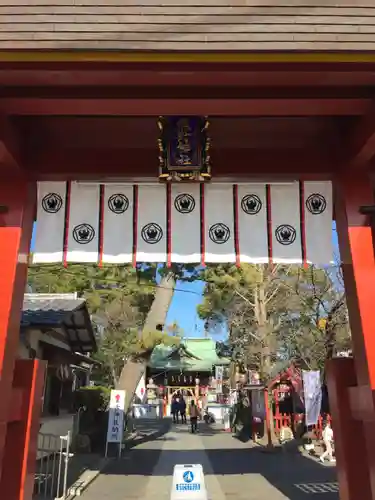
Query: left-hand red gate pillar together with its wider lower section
[[21, 381]]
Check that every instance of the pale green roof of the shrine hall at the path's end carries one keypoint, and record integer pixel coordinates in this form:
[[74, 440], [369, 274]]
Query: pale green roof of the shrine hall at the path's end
[[190, 355]]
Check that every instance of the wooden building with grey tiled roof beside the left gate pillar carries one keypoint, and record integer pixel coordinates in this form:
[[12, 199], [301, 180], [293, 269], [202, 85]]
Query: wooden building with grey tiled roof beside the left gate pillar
[[57, 328]]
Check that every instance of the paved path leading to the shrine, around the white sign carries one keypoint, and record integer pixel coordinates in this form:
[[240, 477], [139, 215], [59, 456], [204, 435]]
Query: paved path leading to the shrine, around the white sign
[[233, 470]]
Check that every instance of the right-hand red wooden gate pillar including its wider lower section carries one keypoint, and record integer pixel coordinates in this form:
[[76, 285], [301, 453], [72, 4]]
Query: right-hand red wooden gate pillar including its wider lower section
[[351, 382]]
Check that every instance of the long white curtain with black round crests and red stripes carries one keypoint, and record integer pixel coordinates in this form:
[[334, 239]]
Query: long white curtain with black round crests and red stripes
[[185, 223]]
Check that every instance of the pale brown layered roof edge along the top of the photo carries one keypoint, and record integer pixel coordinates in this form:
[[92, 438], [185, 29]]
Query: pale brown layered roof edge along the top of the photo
[[188, 25]]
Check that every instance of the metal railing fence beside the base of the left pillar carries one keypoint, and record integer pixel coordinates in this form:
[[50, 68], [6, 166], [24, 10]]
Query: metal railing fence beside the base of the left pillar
[[52, 467]]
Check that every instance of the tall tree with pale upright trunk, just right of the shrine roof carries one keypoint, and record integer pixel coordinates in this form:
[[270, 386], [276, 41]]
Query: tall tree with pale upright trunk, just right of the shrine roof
[[250, 301]]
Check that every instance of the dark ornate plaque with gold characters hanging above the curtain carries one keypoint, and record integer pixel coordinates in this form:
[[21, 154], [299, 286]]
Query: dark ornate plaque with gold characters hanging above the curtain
[[184, 148]]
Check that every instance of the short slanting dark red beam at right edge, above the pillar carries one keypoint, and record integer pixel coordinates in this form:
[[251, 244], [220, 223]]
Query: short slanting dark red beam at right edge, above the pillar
[[362, 140]]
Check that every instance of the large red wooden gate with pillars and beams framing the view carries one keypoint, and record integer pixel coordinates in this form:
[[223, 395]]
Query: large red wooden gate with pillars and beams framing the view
[[273, 120]]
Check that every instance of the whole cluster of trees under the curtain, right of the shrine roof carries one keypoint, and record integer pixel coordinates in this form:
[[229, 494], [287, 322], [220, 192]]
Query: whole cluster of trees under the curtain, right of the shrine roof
[[274, 313]]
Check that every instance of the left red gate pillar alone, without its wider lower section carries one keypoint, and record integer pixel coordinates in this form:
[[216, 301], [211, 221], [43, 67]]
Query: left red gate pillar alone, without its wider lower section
[[16, 225]]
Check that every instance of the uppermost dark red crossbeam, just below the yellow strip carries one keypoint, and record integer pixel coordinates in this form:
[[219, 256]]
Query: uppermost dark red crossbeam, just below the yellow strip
[[94, 73]]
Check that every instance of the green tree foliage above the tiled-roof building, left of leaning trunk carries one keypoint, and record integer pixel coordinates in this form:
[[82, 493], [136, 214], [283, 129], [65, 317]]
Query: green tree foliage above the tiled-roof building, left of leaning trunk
[[119, 299]]
